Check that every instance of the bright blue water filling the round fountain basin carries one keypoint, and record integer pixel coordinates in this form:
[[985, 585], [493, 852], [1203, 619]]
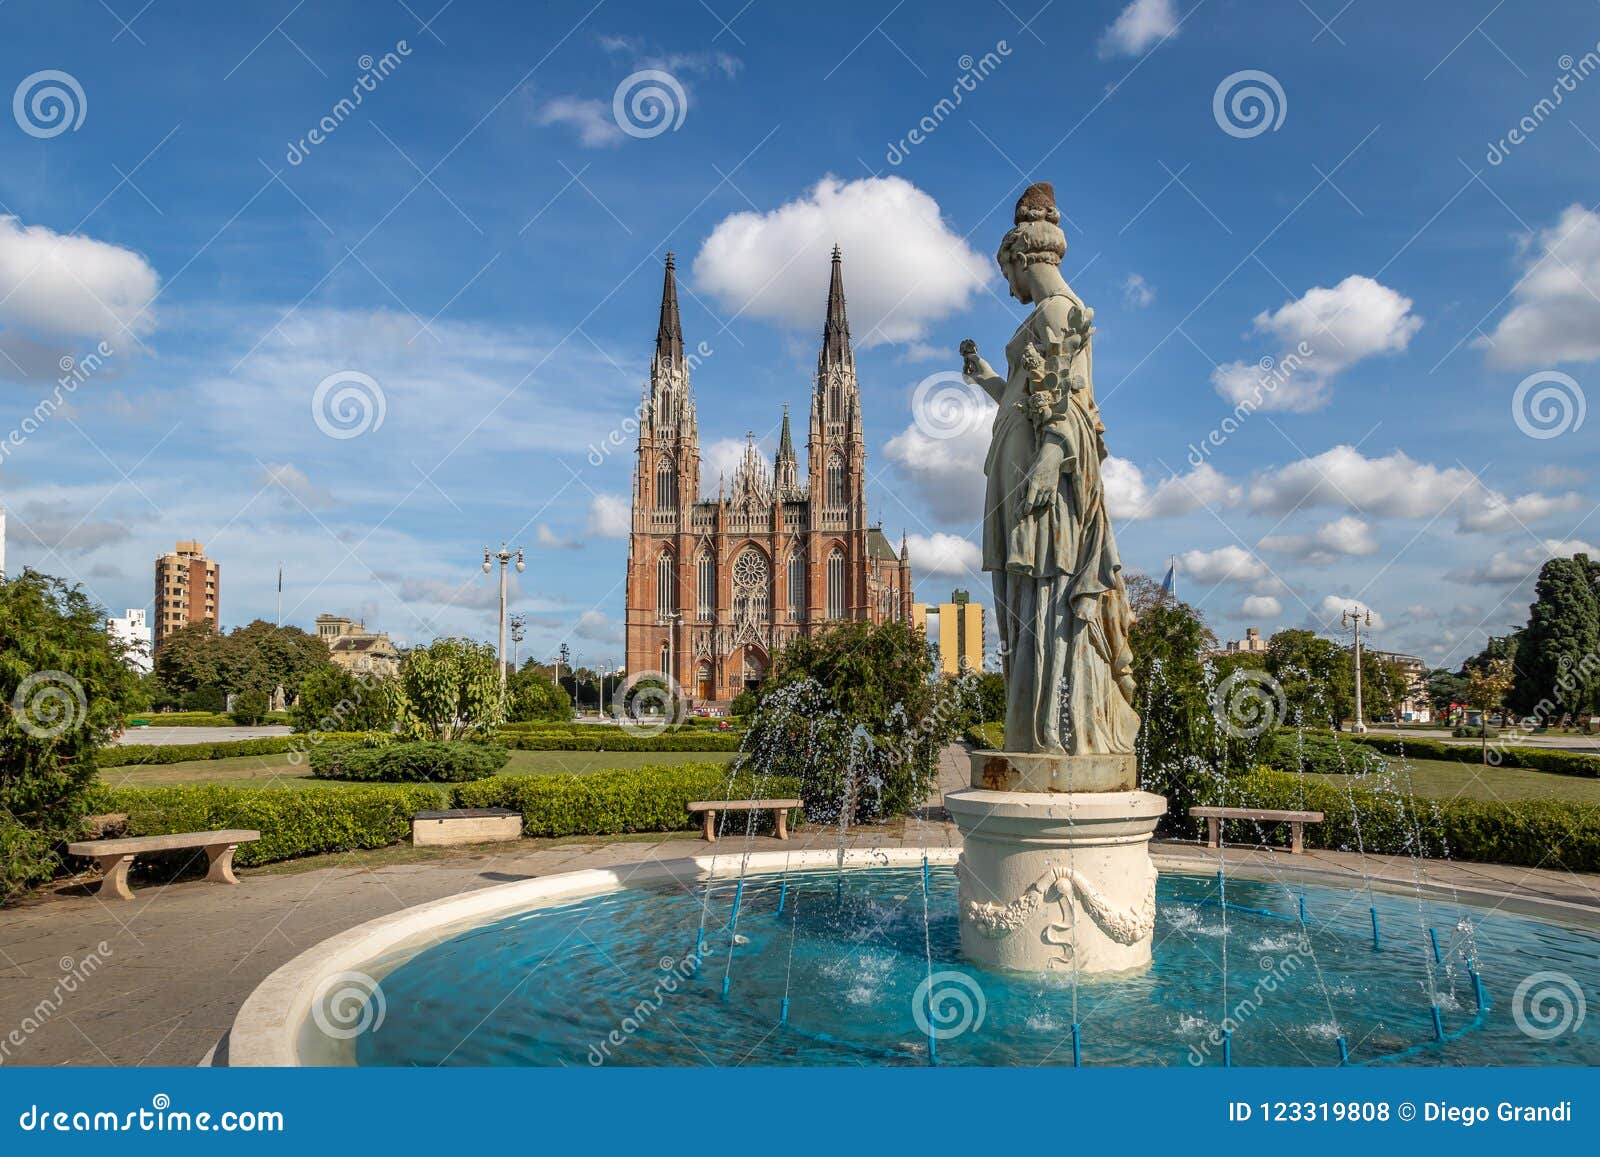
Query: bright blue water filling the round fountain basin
[[615, 980]]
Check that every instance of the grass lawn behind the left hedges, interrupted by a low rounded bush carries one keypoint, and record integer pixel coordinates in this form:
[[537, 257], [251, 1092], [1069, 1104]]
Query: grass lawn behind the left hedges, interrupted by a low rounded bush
[[279, 772]]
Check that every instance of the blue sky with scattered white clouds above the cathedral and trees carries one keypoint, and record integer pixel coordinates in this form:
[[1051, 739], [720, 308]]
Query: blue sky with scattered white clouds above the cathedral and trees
[[479, 247]]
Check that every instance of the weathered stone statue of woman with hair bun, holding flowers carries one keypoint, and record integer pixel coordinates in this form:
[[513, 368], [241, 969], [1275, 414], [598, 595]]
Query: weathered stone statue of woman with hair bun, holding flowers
[[1060, 599]]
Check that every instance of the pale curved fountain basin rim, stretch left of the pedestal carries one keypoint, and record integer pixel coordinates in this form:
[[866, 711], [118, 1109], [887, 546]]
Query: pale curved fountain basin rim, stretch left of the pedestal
[[268, 1027]]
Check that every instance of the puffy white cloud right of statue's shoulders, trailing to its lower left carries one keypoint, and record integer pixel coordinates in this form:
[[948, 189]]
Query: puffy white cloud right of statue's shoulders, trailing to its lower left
[[1322, 334]]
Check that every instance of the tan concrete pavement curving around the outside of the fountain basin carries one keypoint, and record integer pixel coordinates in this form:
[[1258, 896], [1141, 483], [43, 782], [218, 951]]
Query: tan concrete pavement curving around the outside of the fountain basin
[[180, 959]]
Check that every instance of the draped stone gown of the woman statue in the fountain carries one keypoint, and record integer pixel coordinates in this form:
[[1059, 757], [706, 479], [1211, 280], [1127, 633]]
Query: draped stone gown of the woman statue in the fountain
[[1060, 599]]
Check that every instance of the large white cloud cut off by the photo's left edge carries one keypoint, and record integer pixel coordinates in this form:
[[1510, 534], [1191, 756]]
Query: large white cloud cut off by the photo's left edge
[[62, 295]]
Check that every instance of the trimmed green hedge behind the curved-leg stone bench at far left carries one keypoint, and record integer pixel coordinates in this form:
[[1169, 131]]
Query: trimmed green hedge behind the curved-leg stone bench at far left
[[305, 822]]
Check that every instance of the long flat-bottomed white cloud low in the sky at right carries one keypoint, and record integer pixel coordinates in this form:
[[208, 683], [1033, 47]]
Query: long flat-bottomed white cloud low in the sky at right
[[1396, 487]]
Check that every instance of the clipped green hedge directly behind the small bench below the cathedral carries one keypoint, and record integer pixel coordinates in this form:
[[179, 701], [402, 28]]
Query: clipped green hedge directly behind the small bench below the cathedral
[[647, 799]]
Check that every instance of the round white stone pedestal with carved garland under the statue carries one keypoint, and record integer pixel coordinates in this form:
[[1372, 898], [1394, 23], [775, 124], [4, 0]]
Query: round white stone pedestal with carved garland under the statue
[[1054, 881]]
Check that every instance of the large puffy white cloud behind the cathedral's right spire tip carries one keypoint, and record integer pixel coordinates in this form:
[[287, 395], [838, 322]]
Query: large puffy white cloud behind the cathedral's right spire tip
[[903, 266]]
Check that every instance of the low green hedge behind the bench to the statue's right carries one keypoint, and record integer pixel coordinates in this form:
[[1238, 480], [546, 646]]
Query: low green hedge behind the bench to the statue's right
[[1551, 835]]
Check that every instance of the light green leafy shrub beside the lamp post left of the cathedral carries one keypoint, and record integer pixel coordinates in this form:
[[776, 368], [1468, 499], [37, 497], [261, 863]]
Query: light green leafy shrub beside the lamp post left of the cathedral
[[450, 691]]
